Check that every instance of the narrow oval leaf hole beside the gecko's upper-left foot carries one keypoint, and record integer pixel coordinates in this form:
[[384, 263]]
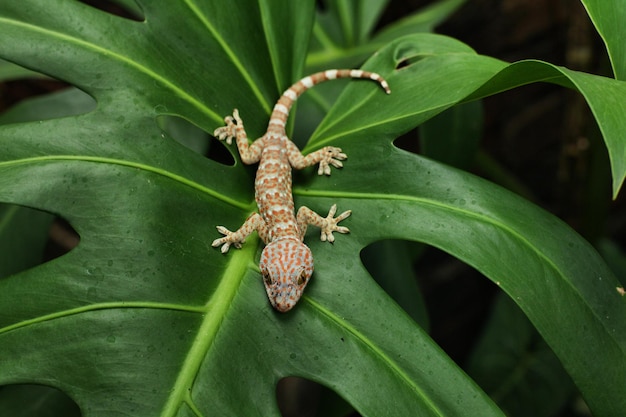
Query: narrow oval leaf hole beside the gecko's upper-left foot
[[194, 138]]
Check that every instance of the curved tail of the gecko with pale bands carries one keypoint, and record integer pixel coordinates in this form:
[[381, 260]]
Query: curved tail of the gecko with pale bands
[[285, 102]]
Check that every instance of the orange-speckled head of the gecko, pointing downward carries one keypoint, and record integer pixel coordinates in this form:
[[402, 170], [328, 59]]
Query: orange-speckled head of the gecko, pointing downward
[[286, 266]]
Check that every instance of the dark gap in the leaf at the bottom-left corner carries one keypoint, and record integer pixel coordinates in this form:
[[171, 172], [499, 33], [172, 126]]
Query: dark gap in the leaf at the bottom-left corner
[[36, 400]]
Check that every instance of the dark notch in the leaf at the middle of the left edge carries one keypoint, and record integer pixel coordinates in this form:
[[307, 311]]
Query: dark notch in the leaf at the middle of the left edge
[[29, 237]]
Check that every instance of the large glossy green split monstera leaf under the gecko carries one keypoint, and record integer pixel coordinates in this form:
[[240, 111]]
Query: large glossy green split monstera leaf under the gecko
[[145, 318]]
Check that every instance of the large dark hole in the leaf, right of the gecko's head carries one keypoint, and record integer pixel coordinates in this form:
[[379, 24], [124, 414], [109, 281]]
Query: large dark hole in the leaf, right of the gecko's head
[[444, 295]]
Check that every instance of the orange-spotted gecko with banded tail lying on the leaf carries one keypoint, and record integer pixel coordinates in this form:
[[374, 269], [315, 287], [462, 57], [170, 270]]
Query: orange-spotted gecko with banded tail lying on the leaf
[[286, 262]]
